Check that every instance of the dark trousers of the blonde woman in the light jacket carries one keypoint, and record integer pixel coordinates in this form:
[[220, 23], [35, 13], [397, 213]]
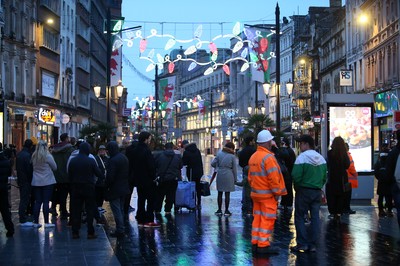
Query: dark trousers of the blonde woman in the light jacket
[[43, 195]]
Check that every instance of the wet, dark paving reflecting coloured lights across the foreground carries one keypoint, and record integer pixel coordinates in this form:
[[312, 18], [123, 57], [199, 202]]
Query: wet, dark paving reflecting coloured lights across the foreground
[[202, 238]]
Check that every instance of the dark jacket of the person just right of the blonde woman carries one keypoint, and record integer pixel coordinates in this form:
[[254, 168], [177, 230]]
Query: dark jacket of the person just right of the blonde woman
[[61, 153]]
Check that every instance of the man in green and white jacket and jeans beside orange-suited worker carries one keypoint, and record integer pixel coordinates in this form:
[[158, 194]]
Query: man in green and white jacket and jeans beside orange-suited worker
[[309, 176]]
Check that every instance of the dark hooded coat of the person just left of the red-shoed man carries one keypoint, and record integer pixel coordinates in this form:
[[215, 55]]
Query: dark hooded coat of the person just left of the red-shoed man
[[117, 173]]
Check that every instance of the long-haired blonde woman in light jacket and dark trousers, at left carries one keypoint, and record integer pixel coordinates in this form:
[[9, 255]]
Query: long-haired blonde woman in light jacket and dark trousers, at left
[[43, 181]]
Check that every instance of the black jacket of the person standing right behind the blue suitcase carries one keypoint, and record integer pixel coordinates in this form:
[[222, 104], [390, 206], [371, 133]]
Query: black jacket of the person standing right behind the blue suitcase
[[192, 159]]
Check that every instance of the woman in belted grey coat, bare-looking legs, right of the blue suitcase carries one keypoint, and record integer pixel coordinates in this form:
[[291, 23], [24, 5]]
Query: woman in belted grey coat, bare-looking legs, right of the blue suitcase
[[225, 162]]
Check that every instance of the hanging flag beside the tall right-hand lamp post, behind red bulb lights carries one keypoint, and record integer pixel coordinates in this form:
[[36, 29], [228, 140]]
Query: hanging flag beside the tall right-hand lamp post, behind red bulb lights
[[259, 53]]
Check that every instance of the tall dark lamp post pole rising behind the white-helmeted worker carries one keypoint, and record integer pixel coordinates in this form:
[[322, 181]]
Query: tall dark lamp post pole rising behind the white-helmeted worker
[[278, 68]]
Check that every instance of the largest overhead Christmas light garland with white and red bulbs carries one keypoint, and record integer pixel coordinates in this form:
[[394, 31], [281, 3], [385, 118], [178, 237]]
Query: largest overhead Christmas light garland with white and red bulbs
[[255, 58]]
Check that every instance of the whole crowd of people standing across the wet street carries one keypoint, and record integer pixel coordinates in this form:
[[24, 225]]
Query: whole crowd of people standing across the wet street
[[271, 174]]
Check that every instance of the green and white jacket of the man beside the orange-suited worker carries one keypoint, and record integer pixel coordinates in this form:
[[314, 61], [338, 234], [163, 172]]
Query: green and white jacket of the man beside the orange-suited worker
[[309, 170]]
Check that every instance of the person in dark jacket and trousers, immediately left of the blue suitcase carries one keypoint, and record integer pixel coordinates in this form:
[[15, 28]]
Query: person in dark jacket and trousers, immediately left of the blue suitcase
[[168, 167]]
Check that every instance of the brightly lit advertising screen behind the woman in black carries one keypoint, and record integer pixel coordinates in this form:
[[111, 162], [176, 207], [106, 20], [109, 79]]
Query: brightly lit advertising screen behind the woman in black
[[354, 123]]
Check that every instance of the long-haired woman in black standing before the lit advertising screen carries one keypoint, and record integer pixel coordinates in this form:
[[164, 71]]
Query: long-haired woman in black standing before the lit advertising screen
[[338, 163]]
